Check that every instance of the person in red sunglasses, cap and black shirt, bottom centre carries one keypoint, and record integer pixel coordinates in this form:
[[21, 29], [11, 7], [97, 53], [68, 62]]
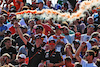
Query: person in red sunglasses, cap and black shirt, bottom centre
[[54, 56]]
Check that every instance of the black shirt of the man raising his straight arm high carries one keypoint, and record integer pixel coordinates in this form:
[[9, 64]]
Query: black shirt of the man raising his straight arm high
[[35, 55]]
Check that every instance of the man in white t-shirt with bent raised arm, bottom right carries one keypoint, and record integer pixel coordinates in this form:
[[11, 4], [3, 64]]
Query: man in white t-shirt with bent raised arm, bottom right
[[89, 56]]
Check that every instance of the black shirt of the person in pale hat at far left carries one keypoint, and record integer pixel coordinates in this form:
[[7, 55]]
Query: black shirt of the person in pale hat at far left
[[10, 51]]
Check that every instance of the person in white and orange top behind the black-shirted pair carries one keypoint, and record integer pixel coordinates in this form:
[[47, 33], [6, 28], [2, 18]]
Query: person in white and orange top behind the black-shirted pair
[[59, 39]]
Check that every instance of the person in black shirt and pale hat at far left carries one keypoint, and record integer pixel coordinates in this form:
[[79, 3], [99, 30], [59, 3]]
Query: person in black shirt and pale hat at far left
[[8, 48]]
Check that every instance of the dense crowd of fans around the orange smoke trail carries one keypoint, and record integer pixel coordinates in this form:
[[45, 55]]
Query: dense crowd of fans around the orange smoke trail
[[48, 44]]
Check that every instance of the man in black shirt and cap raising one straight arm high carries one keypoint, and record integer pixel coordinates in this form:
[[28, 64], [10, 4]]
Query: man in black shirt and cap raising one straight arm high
[[36, 54]]
